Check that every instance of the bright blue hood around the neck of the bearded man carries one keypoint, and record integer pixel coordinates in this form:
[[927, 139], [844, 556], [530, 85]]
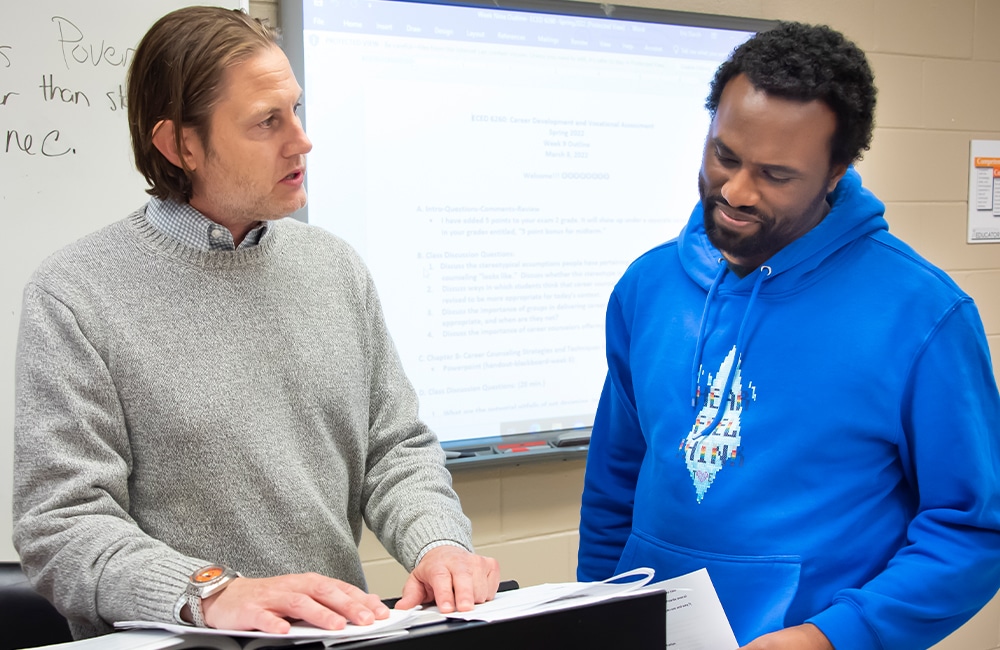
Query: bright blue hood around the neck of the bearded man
[[854, 213]]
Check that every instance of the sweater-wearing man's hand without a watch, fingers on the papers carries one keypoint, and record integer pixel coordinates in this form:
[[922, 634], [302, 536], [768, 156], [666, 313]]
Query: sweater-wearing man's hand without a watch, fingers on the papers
[[453, 578]]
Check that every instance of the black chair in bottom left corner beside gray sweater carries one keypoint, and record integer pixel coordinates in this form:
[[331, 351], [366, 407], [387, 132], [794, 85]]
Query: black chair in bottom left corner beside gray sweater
[[26, 619]]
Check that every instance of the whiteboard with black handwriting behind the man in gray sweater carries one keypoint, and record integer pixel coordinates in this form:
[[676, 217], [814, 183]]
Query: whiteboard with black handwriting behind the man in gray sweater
[[65, 158]]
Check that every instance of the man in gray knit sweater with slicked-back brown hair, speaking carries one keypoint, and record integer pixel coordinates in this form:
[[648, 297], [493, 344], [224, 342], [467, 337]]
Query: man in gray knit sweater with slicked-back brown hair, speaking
[[208, 402]]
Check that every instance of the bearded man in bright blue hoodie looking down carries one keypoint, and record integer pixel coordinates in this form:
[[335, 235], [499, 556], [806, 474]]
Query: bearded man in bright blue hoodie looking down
[[795, 399]]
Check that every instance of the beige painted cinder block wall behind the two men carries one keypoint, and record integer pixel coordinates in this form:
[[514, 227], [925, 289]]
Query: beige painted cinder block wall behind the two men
[[937, 65]]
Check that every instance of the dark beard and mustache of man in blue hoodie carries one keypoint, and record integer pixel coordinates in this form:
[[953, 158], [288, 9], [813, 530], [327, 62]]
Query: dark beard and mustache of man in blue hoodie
[[771, 235]]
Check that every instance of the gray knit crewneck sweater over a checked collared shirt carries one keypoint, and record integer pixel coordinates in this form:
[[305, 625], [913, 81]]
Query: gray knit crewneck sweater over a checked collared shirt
[[177, 407]]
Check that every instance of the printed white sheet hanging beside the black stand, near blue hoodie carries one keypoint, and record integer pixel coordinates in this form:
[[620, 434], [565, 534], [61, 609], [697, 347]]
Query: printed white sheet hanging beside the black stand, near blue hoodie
[[695, 618]]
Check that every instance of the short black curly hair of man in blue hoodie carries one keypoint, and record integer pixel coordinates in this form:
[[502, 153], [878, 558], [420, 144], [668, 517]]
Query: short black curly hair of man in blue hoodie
[[804, 63]]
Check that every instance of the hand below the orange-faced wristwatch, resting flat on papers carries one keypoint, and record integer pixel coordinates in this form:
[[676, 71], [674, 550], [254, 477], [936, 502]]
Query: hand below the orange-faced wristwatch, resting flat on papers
[[267, 604]]
